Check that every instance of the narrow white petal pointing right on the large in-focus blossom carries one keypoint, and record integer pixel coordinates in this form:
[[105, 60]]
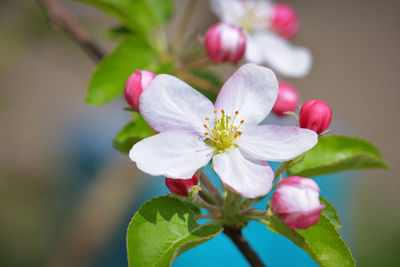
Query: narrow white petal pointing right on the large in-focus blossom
[[276, 143]]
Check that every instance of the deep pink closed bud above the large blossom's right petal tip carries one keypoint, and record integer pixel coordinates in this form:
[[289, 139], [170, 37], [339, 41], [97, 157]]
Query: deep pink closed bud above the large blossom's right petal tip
[[315, 115]]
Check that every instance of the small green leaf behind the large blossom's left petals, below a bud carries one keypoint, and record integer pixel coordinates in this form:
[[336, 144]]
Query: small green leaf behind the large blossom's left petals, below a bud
[[132, 133]]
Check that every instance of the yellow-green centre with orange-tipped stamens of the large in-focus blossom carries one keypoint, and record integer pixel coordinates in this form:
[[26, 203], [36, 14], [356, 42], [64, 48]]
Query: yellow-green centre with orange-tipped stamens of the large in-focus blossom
[[224, 134]]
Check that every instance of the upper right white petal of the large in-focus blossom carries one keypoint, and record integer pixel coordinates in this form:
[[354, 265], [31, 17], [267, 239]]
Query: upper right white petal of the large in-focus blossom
[[252, 90]]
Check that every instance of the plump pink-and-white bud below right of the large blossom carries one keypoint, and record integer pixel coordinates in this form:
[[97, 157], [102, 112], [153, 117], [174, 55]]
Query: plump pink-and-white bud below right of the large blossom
[[296, 202]]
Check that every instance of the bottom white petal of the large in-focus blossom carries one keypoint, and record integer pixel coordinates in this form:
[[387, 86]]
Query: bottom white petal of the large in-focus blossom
[[248, 177]]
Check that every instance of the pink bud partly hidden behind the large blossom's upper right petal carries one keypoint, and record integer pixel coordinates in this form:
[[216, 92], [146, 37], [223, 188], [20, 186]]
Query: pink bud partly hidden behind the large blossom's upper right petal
[[288, 98]]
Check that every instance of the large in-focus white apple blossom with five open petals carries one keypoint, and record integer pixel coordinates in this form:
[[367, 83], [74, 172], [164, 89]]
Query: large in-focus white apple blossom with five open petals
[[192, 131]]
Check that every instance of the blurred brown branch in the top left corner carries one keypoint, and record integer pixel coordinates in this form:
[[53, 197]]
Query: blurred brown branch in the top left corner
[[60, 17]]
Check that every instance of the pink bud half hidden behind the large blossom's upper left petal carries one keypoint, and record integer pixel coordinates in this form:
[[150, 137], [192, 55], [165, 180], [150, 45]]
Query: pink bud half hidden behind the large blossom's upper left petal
[[135, 85]]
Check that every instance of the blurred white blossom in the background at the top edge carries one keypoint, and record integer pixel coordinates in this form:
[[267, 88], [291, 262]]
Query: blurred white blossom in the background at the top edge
[[263, 45]]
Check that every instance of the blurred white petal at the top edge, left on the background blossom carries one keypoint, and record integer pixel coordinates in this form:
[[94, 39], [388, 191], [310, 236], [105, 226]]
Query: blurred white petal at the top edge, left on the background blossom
[[228, 11]]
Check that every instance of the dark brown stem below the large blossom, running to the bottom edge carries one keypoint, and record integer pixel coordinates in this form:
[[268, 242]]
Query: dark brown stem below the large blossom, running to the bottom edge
[[241, 243]]
